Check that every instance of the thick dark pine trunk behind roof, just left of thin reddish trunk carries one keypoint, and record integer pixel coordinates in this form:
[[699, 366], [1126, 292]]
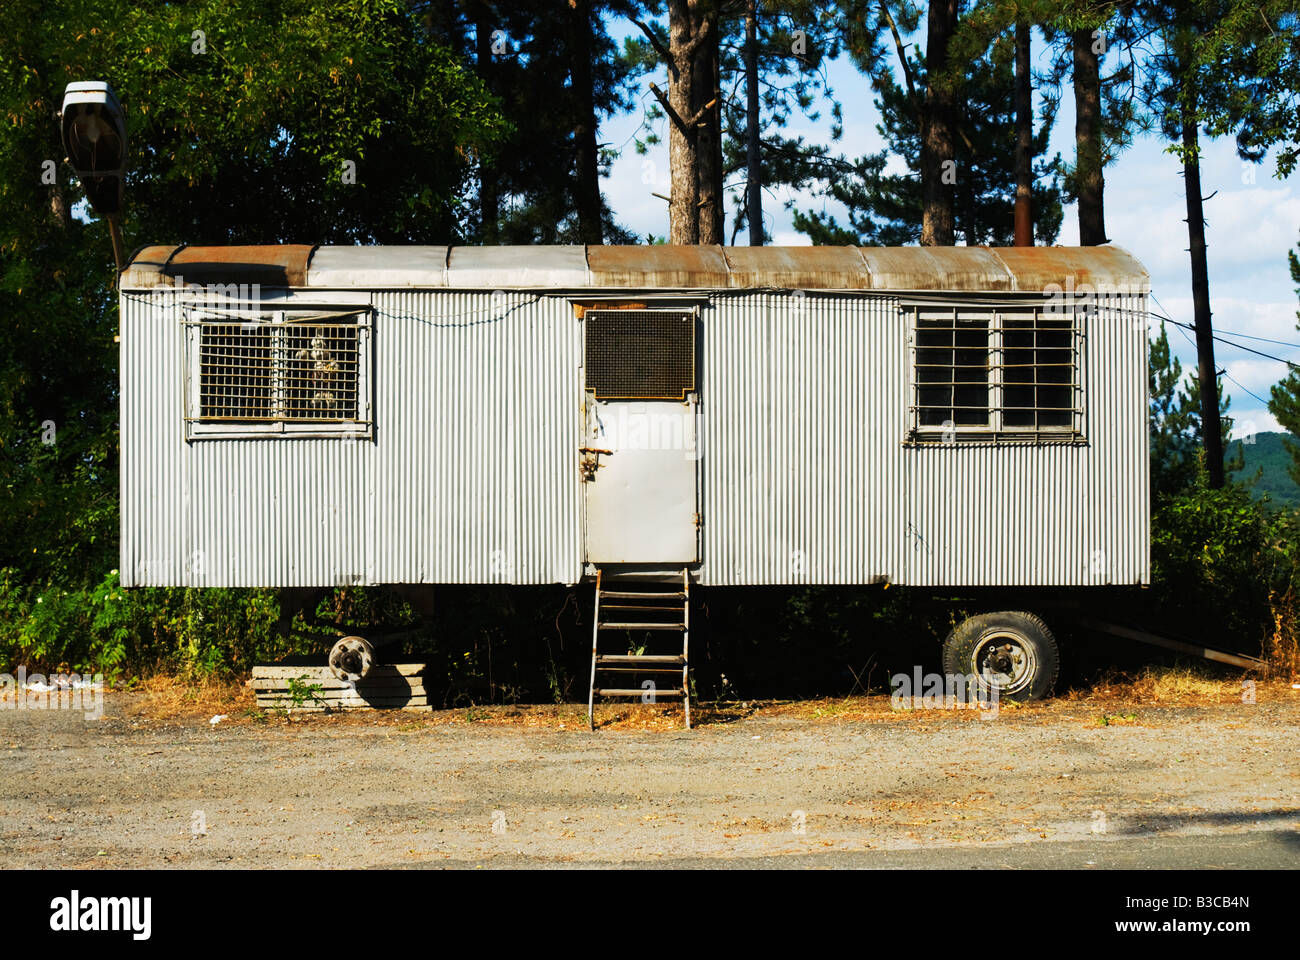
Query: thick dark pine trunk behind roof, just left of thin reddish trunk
[[938, 153]]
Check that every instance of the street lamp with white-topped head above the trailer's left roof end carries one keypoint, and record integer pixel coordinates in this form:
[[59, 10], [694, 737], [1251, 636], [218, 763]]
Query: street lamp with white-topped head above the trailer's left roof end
[[94, 133]]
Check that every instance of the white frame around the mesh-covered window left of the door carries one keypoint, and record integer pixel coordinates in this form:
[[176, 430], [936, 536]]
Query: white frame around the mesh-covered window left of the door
[[279, 321]]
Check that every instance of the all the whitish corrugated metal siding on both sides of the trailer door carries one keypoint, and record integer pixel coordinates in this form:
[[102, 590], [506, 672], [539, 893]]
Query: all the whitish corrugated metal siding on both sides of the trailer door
[[473, 475]]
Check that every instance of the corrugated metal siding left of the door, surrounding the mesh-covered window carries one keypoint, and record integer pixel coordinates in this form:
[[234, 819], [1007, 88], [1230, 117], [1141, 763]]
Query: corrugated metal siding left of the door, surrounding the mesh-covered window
[[473, 475]]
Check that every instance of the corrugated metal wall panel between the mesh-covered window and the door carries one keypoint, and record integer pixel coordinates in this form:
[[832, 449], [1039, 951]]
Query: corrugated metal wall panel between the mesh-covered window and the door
[[478, 438]]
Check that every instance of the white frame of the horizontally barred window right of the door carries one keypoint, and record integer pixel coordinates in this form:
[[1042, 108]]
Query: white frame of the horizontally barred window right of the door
[[996, 318]]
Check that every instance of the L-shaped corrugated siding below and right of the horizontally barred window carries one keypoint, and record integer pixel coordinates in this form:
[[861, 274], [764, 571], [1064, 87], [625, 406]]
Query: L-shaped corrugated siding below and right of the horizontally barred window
[[1043, 516]]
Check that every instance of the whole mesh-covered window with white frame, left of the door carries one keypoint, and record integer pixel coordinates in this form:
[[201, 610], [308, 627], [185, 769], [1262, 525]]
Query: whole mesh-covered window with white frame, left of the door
[[279, 374]]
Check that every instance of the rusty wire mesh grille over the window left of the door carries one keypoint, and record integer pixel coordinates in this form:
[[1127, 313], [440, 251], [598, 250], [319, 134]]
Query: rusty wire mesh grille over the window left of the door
[[293, 371]]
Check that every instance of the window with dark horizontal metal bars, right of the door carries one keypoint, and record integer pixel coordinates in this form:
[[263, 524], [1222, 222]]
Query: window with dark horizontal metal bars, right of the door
[[983, 374]]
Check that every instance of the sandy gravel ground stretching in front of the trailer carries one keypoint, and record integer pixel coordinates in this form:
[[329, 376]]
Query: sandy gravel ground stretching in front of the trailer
[[1047, 786]]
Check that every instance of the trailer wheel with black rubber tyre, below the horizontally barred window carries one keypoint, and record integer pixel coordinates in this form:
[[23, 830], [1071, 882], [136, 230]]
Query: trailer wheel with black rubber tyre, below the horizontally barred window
[[1012, 652]]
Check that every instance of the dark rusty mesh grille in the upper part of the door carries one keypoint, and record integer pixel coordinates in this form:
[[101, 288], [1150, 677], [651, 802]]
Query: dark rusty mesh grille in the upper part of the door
[[640, 354]]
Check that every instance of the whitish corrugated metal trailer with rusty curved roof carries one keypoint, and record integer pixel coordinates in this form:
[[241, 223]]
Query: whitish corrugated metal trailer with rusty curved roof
[[965, 417]]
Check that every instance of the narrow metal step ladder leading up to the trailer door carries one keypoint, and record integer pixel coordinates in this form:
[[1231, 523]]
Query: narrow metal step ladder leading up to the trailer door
[[635, 608]]
